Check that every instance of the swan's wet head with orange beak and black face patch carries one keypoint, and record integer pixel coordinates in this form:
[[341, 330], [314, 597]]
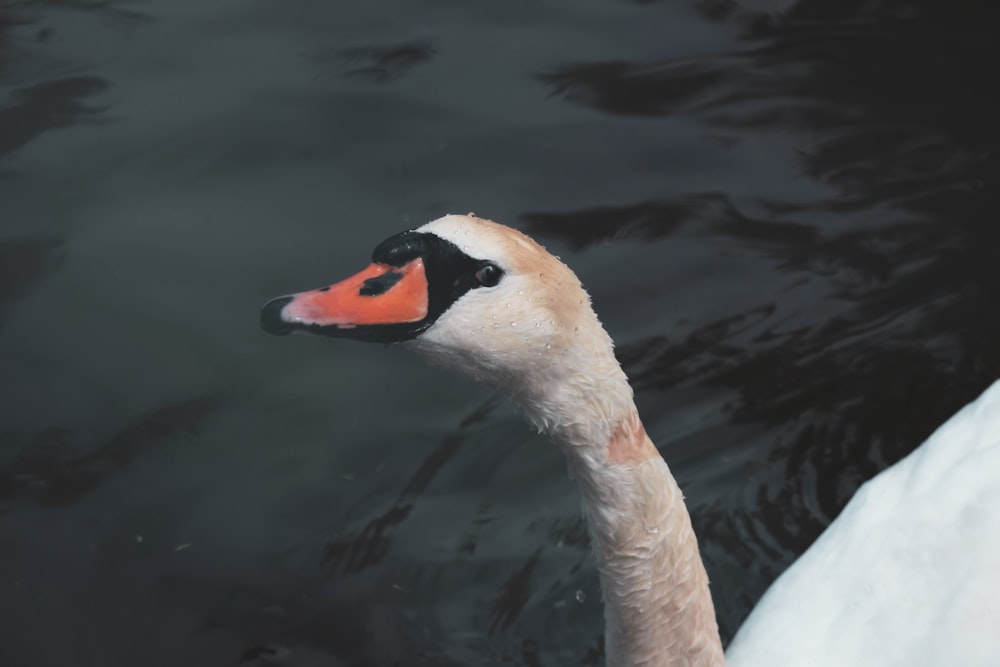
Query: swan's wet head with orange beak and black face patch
[[475, 296]]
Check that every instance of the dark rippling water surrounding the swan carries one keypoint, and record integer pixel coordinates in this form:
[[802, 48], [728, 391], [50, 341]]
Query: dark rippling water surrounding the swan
[[787, 214]]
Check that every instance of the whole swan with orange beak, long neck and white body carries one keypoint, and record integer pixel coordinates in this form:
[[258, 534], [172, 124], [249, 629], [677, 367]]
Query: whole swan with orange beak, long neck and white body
[[908, 574]]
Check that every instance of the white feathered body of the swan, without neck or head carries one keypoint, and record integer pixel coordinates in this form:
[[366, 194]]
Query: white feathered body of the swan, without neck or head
[[908, 574]]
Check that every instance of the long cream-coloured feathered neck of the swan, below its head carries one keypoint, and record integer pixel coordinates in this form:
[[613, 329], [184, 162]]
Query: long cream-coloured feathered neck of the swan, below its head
[[657, 605]]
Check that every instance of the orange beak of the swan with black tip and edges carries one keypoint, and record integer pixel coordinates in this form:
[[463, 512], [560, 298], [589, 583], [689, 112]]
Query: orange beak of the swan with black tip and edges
[[380, 296]]
